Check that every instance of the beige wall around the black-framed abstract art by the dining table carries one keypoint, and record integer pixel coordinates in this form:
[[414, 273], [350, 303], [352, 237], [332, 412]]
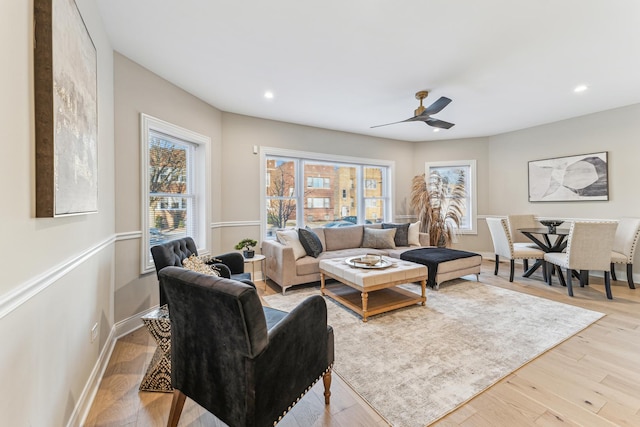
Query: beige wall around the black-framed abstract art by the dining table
[[502, 164]]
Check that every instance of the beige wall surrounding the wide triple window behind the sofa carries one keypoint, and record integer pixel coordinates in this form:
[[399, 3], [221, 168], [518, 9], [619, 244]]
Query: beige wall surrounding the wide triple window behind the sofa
[[241, 168]]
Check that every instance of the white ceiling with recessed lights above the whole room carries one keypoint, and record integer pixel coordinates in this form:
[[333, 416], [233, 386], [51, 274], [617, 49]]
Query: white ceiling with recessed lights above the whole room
[[351, 64]]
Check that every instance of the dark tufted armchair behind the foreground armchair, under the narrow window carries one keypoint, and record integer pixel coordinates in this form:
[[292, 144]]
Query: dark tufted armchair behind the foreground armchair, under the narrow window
[[173, 252]]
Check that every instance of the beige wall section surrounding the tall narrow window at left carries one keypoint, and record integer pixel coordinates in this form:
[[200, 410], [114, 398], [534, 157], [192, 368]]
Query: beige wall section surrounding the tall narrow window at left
[[139, 91]]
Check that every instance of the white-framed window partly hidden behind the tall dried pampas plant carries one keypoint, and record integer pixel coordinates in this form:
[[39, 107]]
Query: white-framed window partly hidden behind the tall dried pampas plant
[[451, 172]]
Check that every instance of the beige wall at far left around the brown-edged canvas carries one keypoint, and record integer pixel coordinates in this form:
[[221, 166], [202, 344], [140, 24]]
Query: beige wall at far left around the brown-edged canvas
[[57, 278]]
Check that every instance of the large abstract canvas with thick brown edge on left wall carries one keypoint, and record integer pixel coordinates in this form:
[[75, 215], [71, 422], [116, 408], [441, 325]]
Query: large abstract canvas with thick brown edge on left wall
[[66, 111]]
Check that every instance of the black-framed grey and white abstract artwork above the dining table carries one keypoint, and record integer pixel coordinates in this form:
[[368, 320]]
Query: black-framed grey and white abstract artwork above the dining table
[[572, 178]]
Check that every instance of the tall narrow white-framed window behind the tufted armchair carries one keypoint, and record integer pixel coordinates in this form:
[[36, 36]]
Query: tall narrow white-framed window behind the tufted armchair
[[174, 186]]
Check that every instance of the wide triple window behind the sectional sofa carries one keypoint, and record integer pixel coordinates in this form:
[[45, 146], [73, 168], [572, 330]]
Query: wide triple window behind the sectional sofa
[[314, 189]]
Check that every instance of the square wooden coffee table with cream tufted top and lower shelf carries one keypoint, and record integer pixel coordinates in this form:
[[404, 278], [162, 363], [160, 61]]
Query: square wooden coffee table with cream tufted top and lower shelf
[[378, 291]]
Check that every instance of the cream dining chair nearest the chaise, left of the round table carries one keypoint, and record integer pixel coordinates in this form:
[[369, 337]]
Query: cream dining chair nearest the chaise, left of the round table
[[503, 246]]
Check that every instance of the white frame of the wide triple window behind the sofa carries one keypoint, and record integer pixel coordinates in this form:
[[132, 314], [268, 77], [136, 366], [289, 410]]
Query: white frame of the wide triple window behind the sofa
[[321, 157]]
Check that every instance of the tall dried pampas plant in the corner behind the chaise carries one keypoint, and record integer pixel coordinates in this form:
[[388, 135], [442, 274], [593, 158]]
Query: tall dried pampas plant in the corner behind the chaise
[[439, 205]]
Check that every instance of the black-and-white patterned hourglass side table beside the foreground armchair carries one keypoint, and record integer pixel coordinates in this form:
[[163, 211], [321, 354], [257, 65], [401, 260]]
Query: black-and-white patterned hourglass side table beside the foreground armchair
[[158, 375]]
